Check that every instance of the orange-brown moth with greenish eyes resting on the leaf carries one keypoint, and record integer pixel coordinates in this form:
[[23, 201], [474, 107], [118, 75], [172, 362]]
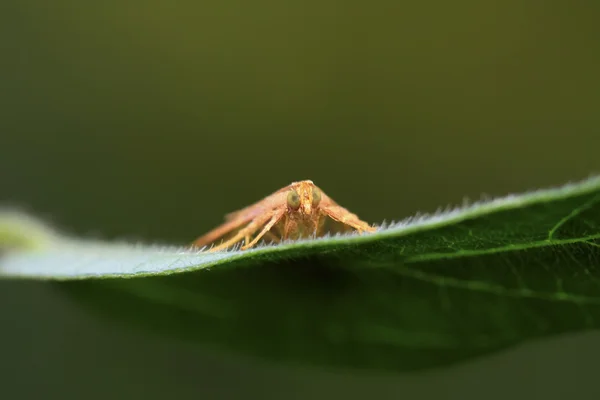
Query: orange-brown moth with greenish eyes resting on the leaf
[[296, 211]]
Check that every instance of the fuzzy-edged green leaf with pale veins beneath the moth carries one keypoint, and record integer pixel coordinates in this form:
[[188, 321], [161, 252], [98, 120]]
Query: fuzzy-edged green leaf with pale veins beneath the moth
[[426, 292]]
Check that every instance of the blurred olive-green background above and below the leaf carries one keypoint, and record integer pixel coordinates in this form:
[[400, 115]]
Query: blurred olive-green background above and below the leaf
[[149, 120]]
